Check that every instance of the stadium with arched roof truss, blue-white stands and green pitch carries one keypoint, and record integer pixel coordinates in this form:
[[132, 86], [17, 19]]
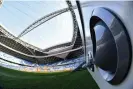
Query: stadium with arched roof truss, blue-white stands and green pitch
[[27, 66]]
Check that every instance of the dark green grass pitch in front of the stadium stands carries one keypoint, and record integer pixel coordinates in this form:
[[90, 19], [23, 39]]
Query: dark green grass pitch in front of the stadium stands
[[12, 79]]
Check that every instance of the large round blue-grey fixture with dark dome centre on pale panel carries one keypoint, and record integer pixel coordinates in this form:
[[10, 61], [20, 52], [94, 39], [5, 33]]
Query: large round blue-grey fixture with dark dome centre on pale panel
[[111, 45]]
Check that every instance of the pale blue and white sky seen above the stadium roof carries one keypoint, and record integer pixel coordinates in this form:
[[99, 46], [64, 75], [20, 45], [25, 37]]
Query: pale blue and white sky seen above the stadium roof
[[15, 16]]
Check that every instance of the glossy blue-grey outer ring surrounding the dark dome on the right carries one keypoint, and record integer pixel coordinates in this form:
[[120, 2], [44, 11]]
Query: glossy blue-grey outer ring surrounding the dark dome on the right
[[122, 41]]
